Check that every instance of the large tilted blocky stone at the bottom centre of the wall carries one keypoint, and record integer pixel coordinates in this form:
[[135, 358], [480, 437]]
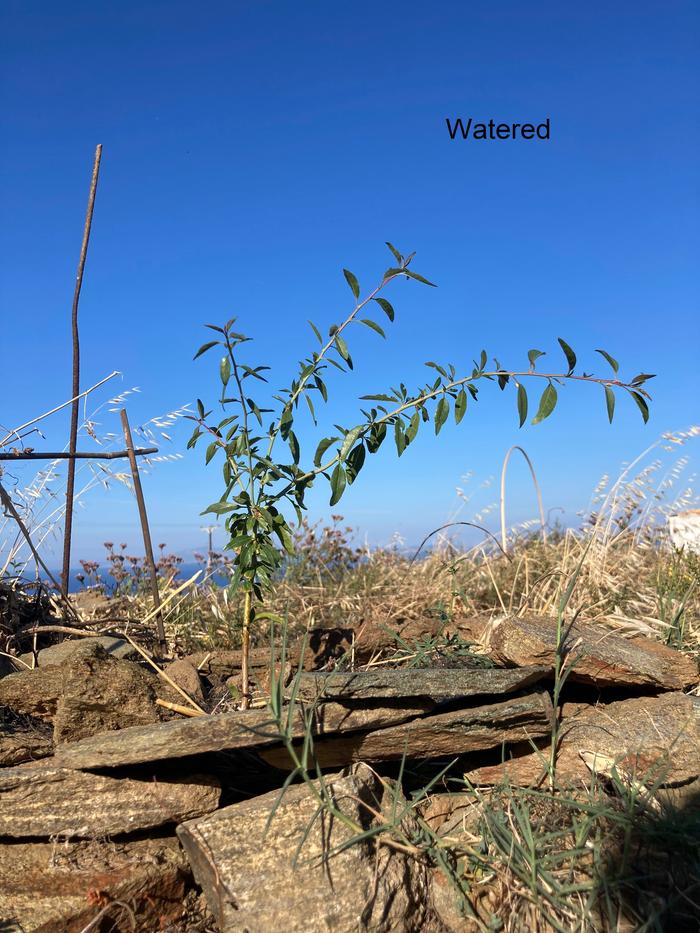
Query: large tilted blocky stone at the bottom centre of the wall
[[251, 883]]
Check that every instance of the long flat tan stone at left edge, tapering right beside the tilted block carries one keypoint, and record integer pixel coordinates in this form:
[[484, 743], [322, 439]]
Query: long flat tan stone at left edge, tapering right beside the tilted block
[[44, 801]]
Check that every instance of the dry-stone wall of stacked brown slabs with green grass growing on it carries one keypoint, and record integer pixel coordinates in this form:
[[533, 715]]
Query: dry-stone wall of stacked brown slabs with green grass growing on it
[[135, 796]]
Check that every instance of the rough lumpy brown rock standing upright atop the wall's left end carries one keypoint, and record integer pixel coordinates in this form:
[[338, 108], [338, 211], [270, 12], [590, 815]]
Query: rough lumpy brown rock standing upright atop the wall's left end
[[100, 694]]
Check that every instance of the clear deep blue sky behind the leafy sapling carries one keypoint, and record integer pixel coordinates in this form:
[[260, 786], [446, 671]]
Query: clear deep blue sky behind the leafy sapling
[[253, 149]]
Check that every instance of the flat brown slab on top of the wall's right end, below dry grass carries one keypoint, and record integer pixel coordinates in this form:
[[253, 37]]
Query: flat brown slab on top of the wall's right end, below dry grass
[[600, 656]]
